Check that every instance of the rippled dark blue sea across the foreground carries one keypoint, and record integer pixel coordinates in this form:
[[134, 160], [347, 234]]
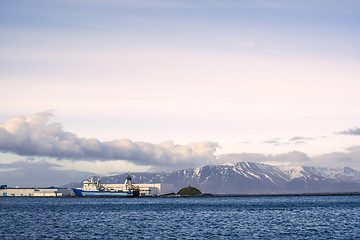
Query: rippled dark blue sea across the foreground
[[291, 217]]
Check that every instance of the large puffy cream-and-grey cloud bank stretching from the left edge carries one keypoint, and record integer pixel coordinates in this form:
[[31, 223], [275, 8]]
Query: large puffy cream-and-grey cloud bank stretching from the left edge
[[35, 136]]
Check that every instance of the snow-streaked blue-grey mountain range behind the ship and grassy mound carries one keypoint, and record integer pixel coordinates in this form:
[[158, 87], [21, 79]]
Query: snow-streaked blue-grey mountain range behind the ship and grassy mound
[[250, 178]]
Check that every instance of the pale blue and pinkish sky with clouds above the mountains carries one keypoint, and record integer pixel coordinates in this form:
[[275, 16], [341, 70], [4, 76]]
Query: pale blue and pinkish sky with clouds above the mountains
[[107, 86]]
